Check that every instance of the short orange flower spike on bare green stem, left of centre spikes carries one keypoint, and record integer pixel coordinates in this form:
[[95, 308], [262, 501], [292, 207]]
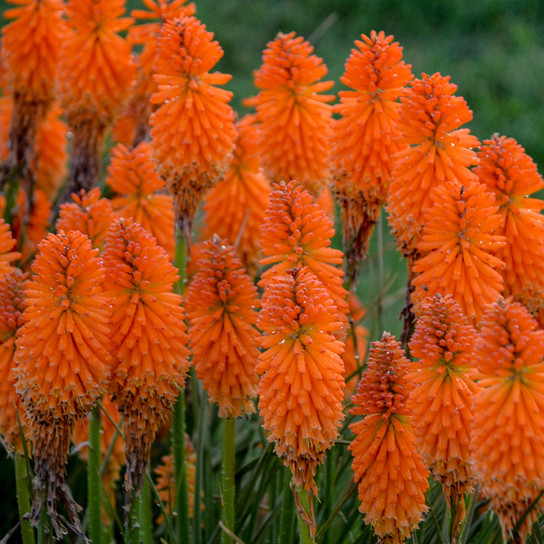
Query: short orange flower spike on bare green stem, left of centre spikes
[[221, 308]]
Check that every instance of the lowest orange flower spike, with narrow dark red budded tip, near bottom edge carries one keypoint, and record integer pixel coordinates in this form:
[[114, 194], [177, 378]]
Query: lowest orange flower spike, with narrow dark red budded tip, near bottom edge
[[388, 469]]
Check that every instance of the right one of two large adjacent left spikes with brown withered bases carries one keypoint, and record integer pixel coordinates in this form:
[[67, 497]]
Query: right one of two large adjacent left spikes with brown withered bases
[[149, 336]]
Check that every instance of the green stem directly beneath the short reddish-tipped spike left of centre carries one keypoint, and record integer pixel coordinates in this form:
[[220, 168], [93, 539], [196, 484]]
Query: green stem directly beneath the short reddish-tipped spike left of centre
[[227, 476]]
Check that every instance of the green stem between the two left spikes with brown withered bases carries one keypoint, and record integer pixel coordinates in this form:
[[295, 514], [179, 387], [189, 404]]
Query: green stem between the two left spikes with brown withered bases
[[93, 478]]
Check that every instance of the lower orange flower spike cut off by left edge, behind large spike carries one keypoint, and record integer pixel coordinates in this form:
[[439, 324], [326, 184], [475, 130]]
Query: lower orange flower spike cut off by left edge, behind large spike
[[11, 311]]
